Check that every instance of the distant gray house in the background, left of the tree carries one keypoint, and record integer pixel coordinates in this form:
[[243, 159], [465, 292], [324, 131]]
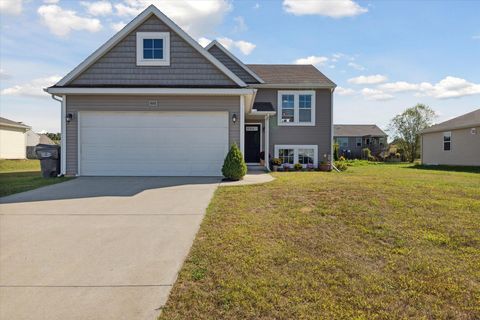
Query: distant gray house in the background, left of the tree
[[352, 138]]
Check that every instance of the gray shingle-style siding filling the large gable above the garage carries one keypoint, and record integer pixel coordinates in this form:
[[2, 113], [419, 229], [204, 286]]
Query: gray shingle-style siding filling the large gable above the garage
[[119, 65]]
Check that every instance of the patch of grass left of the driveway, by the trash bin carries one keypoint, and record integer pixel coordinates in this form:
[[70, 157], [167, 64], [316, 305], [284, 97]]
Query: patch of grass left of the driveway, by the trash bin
[[22, 175]]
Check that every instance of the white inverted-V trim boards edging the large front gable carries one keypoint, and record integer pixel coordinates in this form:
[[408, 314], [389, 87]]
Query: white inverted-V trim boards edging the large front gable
[[148, 12]]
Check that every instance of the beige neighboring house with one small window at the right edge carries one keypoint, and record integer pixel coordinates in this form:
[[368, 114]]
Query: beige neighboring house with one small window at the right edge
[[453, 142]]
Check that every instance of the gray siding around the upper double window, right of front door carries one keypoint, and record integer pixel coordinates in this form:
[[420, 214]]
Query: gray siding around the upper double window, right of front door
[[319, 135]]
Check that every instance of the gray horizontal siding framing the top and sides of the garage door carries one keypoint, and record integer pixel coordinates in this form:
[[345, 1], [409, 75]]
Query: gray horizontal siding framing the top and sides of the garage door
[[80, 103]]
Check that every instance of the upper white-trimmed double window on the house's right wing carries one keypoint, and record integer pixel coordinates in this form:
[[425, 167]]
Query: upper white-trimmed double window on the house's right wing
[[296, 108]]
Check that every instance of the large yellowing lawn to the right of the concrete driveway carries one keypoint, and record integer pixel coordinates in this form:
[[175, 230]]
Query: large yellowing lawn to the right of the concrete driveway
[[373, 242]]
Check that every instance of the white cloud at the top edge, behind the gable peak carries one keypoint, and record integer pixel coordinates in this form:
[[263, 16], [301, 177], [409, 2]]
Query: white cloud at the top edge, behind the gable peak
[[197, 17]]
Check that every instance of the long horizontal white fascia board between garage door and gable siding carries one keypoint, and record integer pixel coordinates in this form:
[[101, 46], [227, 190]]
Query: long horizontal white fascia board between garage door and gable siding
[[152, 91]]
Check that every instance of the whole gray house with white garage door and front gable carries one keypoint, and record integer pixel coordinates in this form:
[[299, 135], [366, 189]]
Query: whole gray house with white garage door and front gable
[[152, 101]]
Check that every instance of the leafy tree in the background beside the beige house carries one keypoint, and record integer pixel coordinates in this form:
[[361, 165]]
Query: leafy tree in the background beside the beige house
[[406, 128]]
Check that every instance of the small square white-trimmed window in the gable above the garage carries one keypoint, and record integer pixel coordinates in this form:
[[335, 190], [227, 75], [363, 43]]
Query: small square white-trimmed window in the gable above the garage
[[153, 48]]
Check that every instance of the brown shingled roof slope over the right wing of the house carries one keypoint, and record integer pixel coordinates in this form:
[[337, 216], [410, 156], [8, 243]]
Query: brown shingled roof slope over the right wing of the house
[[291, 75]]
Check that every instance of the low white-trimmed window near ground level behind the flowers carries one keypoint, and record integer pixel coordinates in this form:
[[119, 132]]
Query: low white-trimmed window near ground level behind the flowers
[[303, 154]]
